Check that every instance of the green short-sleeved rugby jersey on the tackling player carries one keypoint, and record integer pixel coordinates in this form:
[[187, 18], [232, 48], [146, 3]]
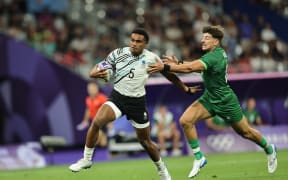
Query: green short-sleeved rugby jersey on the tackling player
[[215, 75]]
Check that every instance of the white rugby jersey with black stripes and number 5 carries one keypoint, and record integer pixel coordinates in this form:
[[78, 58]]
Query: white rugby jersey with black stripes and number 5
[[130, 72]]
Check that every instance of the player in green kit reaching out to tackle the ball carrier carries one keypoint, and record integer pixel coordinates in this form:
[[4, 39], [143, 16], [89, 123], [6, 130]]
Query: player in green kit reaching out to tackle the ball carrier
[[217, 99]]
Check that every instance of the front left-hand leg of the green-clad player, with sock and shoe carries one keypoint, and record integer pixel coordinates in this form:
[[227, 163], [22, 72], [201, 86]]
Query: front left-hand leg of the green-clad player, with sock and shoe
[[192, 114]]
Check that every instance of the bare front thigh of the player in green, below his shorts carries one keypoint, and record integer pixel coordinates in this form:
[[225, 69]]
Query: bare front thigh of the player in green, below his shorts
[[195, 112]]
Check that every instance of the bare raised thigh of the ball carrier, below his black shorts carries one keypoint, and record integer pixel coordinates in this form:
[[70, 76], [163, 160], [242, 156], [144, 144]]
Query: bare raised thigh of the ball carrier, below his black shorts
[[104, 115]]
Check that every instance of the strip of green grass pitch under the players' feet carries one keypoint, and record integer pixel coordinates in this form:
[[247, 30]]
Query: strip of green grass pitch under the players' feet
[[252, 165]]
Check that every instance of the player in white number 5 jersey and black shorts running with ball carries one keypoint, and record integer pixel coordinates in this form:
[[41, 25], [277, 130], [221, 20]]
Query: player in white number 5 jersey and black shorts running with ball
[[128, 98]]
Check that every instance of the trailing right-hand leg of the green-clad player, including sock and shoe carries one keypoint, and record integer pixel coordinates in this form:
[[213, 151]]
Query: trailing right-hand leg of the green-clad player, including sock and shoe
[[246, 131]]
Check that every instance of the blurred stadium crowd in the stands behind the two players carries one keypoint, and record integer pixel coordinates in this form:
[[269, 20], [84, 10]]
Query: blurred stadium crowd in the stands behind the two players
[[78, 34]]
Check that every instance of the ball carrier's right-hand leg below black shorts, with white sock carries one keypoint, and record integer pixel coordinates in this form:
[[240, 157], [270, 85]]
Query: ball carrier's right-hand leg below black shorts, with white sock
[[151, 148]]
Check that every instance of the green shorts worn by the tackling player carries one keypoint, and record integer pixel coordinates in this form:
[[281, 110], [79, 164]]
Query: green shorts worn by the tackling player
[[230, 109]]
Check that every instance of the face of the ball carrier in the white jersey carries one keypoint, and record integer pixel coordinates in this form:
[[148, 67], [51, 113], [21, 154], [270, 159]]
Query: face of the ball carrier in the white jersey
[[137, 44]]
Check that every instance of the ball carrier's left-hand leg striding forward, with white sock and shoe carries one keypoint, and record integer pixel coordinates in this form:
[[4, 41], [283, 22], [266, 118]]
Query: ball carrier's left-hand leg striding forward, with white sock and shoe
[[103, 116]]
